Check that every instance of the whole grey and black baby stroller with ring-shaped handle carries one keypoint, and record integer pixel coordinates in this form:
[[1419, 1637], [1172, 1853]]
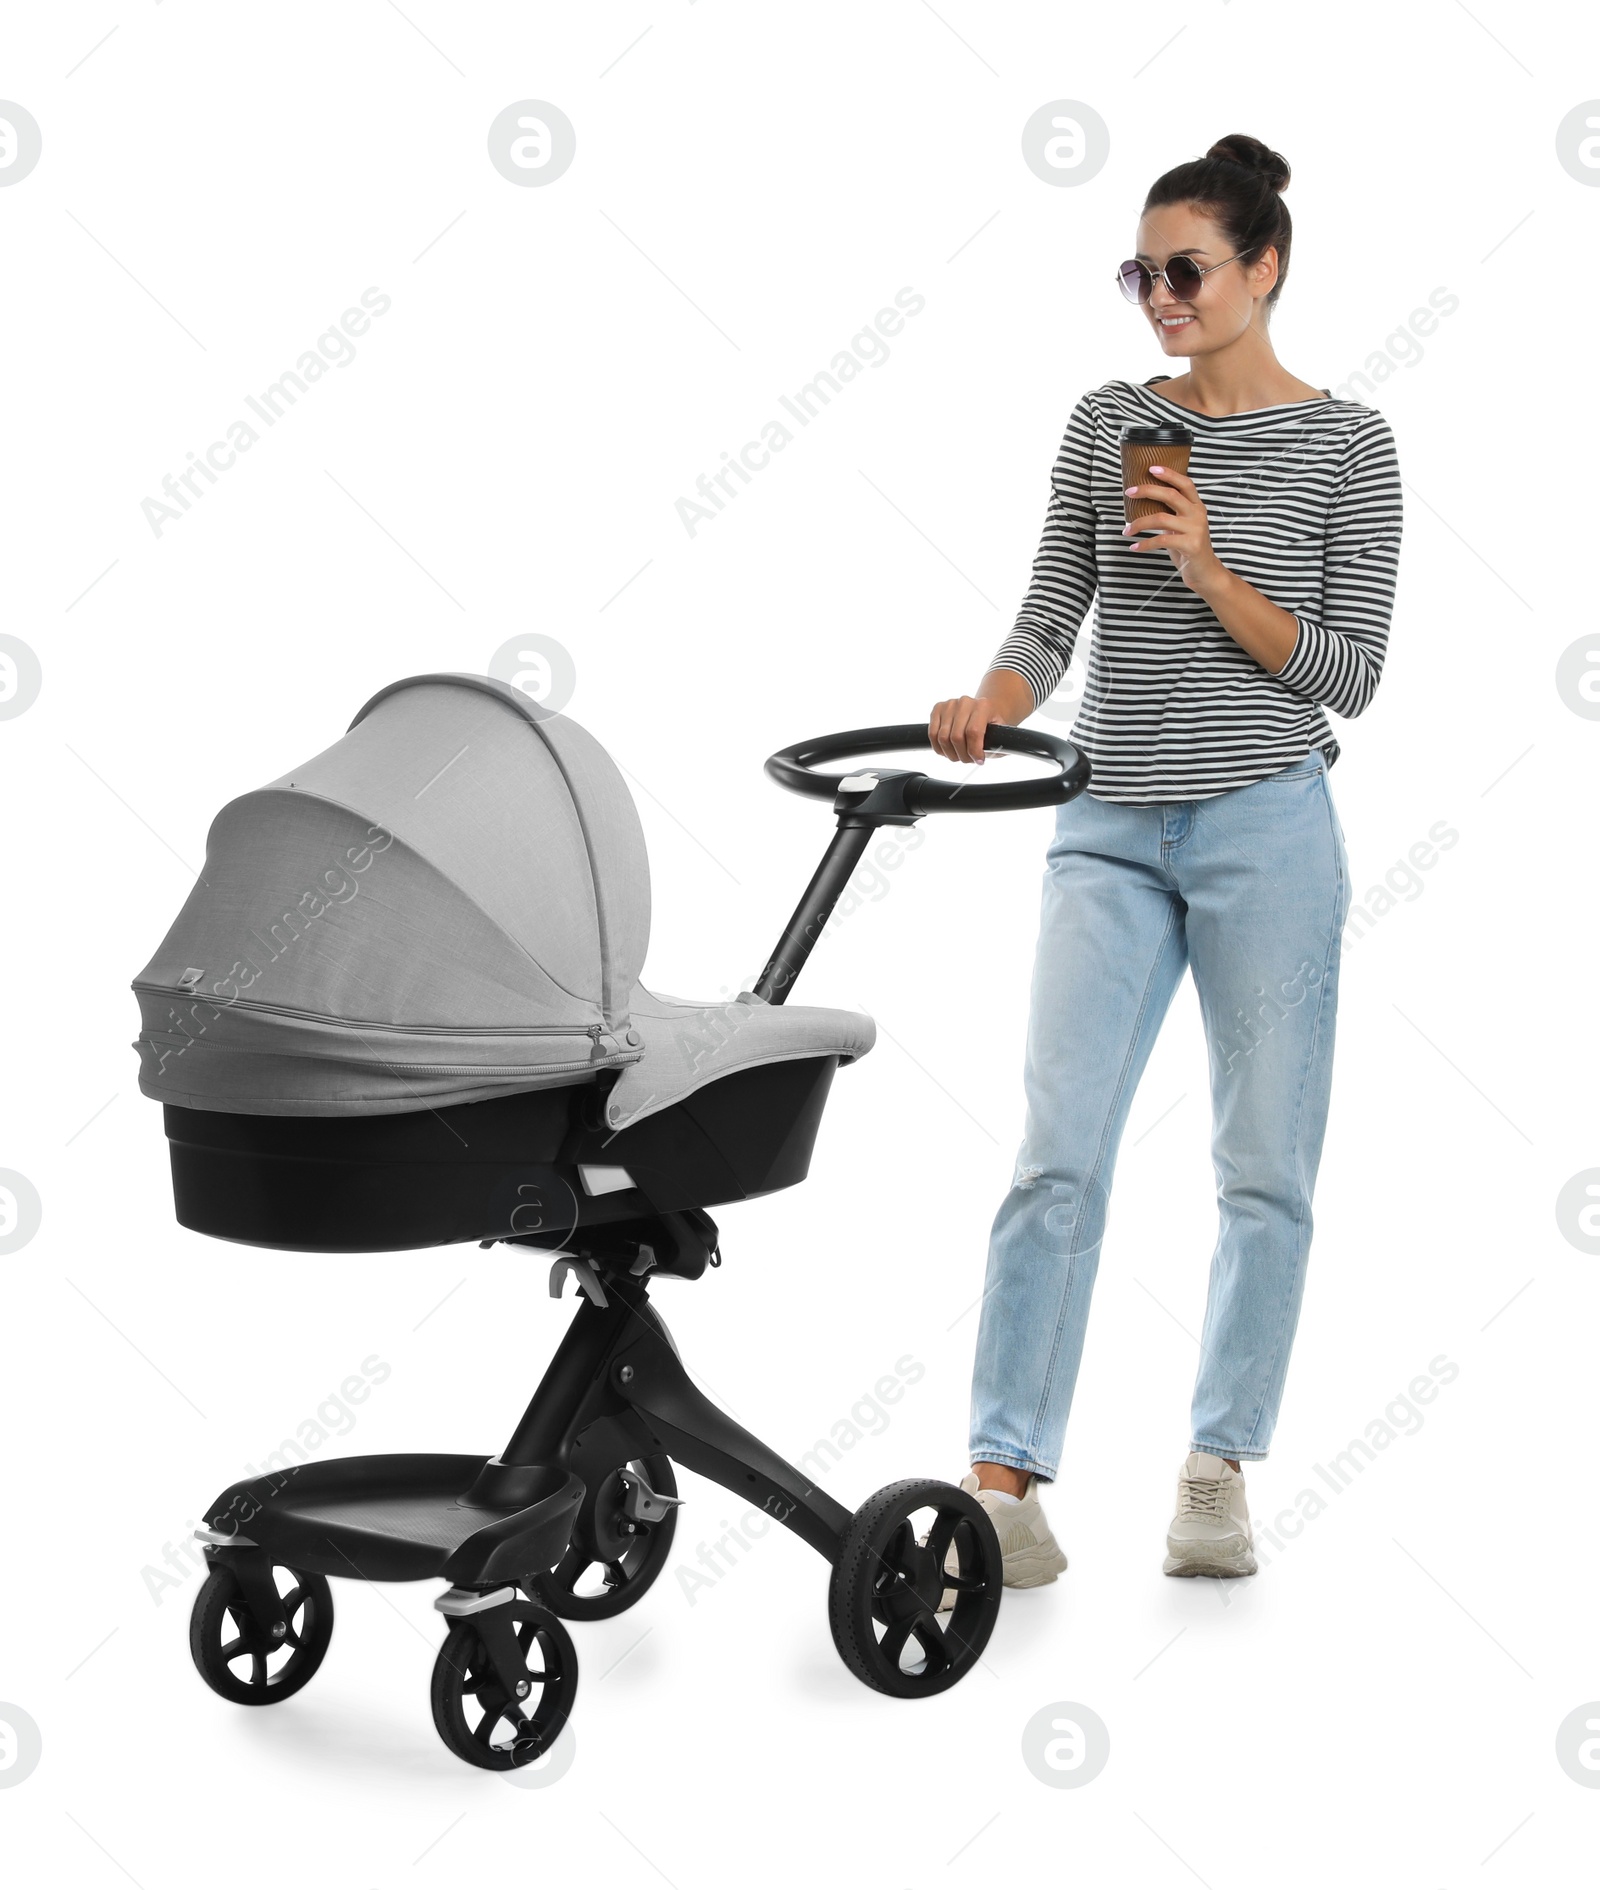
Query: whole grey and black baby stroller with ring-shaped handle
[[401, 1008]]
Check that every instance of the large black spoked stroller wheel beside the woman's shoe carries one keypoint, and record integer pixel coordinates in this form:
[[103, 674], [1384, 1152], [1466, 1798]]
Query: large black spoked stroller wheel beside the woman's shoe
[[889, 1581]]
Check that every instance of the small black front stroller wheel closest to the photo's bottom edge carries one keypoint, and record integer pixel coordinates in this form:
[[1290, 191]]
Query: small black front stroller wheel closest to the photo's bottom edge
[[475, 1715]]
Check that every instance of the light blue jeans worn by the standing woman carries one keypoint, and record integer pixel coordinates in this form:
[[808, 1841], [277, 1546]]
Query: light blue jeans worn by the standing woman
[[1251, 891]]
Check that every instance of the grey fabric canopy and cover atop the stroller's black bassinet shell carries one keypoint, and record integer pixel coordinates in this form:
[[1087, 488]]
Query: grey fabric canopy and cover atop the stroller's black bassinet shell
[[449, 904]]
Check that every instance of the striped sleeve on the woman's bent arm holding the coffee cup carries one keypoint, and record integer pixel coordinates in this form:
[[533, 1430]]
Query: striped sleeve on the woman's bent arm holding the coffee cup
[[1338, 657]]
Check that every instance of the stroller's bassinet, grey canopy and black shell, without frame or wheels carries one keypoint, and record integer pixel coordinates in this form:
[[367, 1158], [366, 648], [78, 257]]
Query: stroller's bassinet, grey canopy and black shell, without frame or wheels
[[403, 1006]]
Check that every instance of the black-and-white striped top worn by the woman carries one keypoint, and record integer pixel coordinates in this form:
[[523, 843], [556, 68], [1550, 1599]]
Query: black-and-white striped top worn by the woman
[[1304, 504]]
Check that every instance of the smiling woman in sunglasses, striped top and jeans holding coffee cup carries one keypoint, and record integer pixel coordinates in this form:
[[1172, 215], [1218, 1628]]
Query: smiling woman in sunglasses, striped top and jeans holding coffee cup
[[1206, 838]]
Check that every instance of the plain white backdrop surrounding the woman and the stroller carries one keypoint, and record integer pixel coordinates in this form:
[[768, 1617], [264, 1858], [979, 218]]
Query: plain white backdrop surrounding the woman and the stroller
[[503, 456]]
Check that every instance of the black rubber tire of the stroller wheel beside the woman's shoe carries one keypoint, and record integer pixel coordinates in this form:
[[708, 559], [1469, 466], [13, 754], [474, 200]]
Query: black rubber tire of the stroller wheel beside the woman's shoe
[[859, 1553]]
